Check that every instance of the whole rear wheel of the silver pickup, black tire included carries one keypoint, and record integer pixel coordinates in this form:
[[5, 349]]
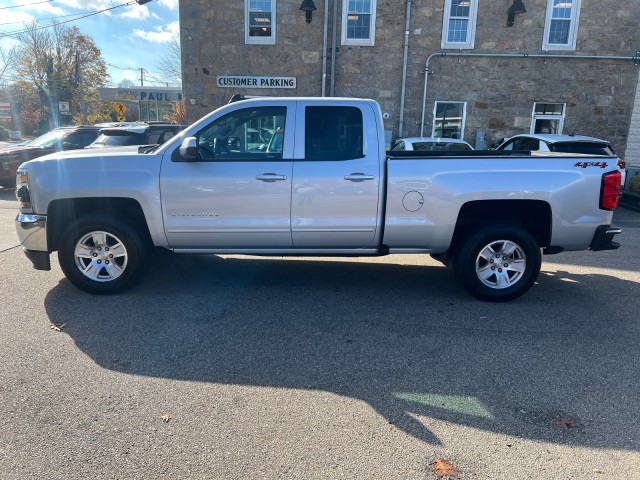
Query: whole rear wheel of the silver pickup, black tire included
[[498, 263]]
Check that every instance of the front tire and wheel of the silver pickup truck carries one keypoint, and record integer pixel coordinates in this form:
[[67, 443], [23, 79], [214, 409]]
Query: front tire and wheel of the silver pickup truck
[[103, 255]]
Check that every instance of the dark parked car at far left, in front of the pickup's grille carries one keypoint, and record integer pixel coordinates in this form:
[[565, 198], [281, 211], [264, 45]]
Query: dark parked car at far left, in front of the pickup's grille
[[62, 138]]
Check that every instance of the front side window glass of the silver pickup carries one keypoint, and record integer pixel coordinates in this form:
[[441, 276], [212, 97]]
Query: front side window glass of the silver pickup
[[253, 133]]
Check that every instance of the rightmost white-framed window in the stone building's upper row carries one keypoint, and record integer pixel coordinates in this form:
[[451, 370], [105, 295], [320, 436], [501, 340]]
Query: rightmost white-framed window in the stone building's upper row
[[561, 25]]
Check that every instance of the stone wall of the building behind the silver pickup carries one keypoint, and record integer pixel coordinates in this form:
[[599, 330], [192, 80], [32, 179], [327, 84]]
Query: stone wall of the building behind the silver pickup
[[499, 92]]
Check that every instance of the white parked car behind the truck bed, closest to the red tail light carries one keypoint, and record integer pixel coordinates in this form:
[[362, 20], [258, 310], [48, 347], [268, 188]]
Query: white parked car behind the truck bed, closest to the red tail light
[[557, 143]]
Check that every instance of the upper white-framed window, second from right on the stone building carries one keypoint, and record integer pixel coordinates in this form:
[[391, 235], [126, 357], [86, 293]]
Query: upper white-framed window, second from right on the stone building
[[459, 24]]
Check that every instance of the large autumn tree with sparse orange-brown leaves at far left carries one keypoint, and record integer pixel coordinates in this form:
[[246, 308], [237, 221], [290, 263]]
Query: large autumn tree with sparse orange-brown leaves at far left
[[62, 65]]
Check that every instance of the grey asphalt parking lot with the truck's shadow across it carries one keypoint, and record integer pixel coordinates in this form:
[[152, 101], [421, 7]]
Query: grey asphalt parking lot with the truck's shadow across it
[[238, 367]]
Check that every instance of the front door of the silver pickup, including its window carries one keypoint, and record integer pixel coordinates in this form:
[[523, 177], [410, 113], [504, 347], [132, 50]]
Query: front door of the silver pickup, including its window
[[238, 193]]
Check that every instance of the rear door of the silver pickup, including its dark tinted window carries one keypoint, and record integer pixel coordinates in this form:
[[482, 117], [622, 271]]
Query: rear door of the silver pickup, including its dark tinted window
[[336, 176]]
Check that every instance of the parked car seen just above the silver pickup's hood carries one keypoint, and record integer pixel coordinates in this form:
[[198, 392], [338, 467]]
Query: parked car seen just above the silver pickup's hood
[[136, 134]]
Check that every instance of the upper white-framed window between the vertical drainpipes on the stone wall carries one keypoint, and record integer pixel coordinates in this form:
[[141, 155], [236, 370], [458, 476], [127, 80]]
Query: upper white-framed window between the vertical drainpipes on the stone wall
[[359, 22]]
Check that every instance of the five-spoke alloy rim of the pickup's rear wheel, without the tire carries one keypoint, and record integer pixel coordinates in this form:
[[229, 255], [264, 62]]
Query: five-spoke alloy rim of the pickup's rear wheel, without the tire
[[501, 264]]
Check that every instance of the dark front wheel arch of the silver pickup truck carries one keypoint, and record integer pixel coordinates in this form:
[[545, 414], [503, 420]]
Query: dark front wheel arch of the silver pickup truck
[[62, 213]]
